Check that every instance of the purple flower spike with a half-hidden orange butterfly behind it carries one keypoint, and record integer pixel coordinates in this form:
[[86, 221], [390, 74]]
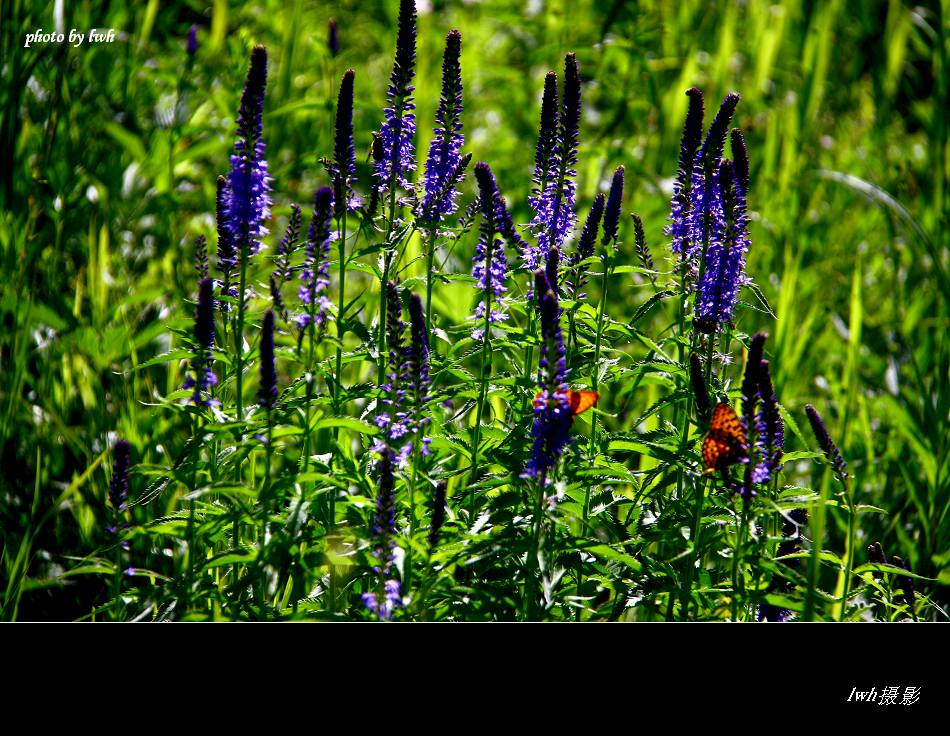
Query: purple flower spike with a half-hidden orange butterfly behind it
[[552, 409]]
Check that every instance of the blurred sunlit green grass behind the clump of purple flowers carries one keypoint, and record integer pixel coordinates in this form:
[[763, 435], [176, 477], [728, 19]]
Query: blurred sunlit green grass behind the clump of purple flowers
[[110, 153]]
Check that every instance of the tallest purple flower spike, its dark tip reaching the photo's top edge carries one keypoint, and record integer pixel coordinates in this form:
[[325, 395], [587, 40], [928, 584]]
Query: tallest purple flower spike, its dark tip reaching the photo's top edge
[[399, 127]]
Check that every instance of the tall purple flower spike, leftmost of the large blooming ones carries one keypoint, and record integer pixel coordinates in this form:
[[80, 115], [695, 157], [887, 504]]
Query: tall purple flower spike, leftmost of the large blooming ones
[[249, 193]]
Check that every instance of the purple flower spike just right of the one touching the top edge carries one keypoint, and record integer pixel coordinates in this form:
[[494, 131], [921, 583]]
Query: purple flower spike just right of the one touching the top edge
[[442, 170]]
